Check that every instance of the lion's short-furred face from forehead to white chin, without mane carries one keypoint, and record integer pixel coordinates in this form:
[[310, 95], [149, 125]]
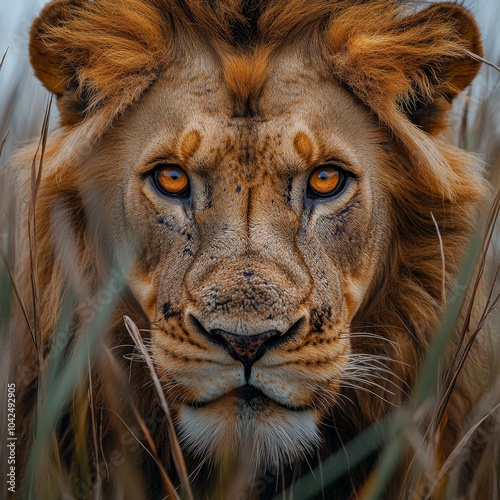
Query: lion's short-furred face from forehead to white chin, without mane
[[259, 238]]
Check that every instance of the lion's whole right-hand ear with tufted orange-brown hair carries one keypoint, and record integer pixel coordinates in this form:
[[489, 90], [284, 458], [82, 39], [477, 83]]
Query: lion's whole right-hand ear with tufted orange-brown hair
[[418, 62]]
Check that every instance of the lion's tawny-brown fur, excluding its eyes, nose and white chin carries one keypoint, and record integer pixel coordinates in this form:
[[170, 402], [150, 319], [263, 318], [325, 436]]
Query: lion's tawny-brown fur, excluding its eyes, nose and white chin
[[246, 256]]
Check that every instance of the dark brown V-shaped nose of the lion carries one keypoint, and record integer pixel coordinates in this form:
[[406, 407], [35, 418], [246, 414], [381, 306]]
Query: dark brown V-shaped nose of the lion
[[247, 348]]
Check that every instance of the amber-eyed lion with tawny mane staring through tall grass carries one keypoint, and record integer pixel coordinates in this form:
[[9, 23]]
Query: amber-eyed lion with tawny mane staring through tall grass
[[269, 187]]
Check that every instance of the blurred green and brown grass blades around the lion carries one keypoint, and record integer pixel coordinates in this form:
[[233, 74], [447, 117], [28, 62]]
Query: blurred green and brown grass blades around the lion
[[400, 434]]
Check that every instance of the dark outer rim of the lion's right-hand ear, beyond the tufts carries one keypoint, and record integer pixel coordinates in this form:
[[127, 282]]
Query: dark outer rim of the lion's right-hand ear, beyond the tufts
[[451, 71]]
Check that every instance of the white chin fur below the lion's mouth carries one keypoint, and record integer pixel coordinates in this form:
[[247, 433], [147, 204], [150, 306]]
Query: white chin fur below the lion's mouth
[[259, 434]]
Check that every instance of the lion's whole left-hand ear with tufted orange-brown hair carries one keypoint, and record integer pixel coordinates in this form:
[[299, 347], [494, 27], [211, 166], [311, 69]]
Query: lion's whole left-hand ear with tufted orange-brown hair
[[95, 55]]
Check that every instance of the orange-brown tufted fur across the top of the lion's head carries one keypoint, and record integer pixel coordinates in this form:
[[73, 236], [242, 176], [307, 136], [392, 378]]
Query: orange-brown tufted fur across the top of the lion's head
[[115, 50]]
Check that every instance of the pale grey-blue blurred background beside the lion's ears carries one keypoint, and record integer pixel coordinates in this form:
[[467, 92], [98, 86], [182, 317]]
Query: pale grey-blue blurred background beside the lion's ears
[[23, 100]]
